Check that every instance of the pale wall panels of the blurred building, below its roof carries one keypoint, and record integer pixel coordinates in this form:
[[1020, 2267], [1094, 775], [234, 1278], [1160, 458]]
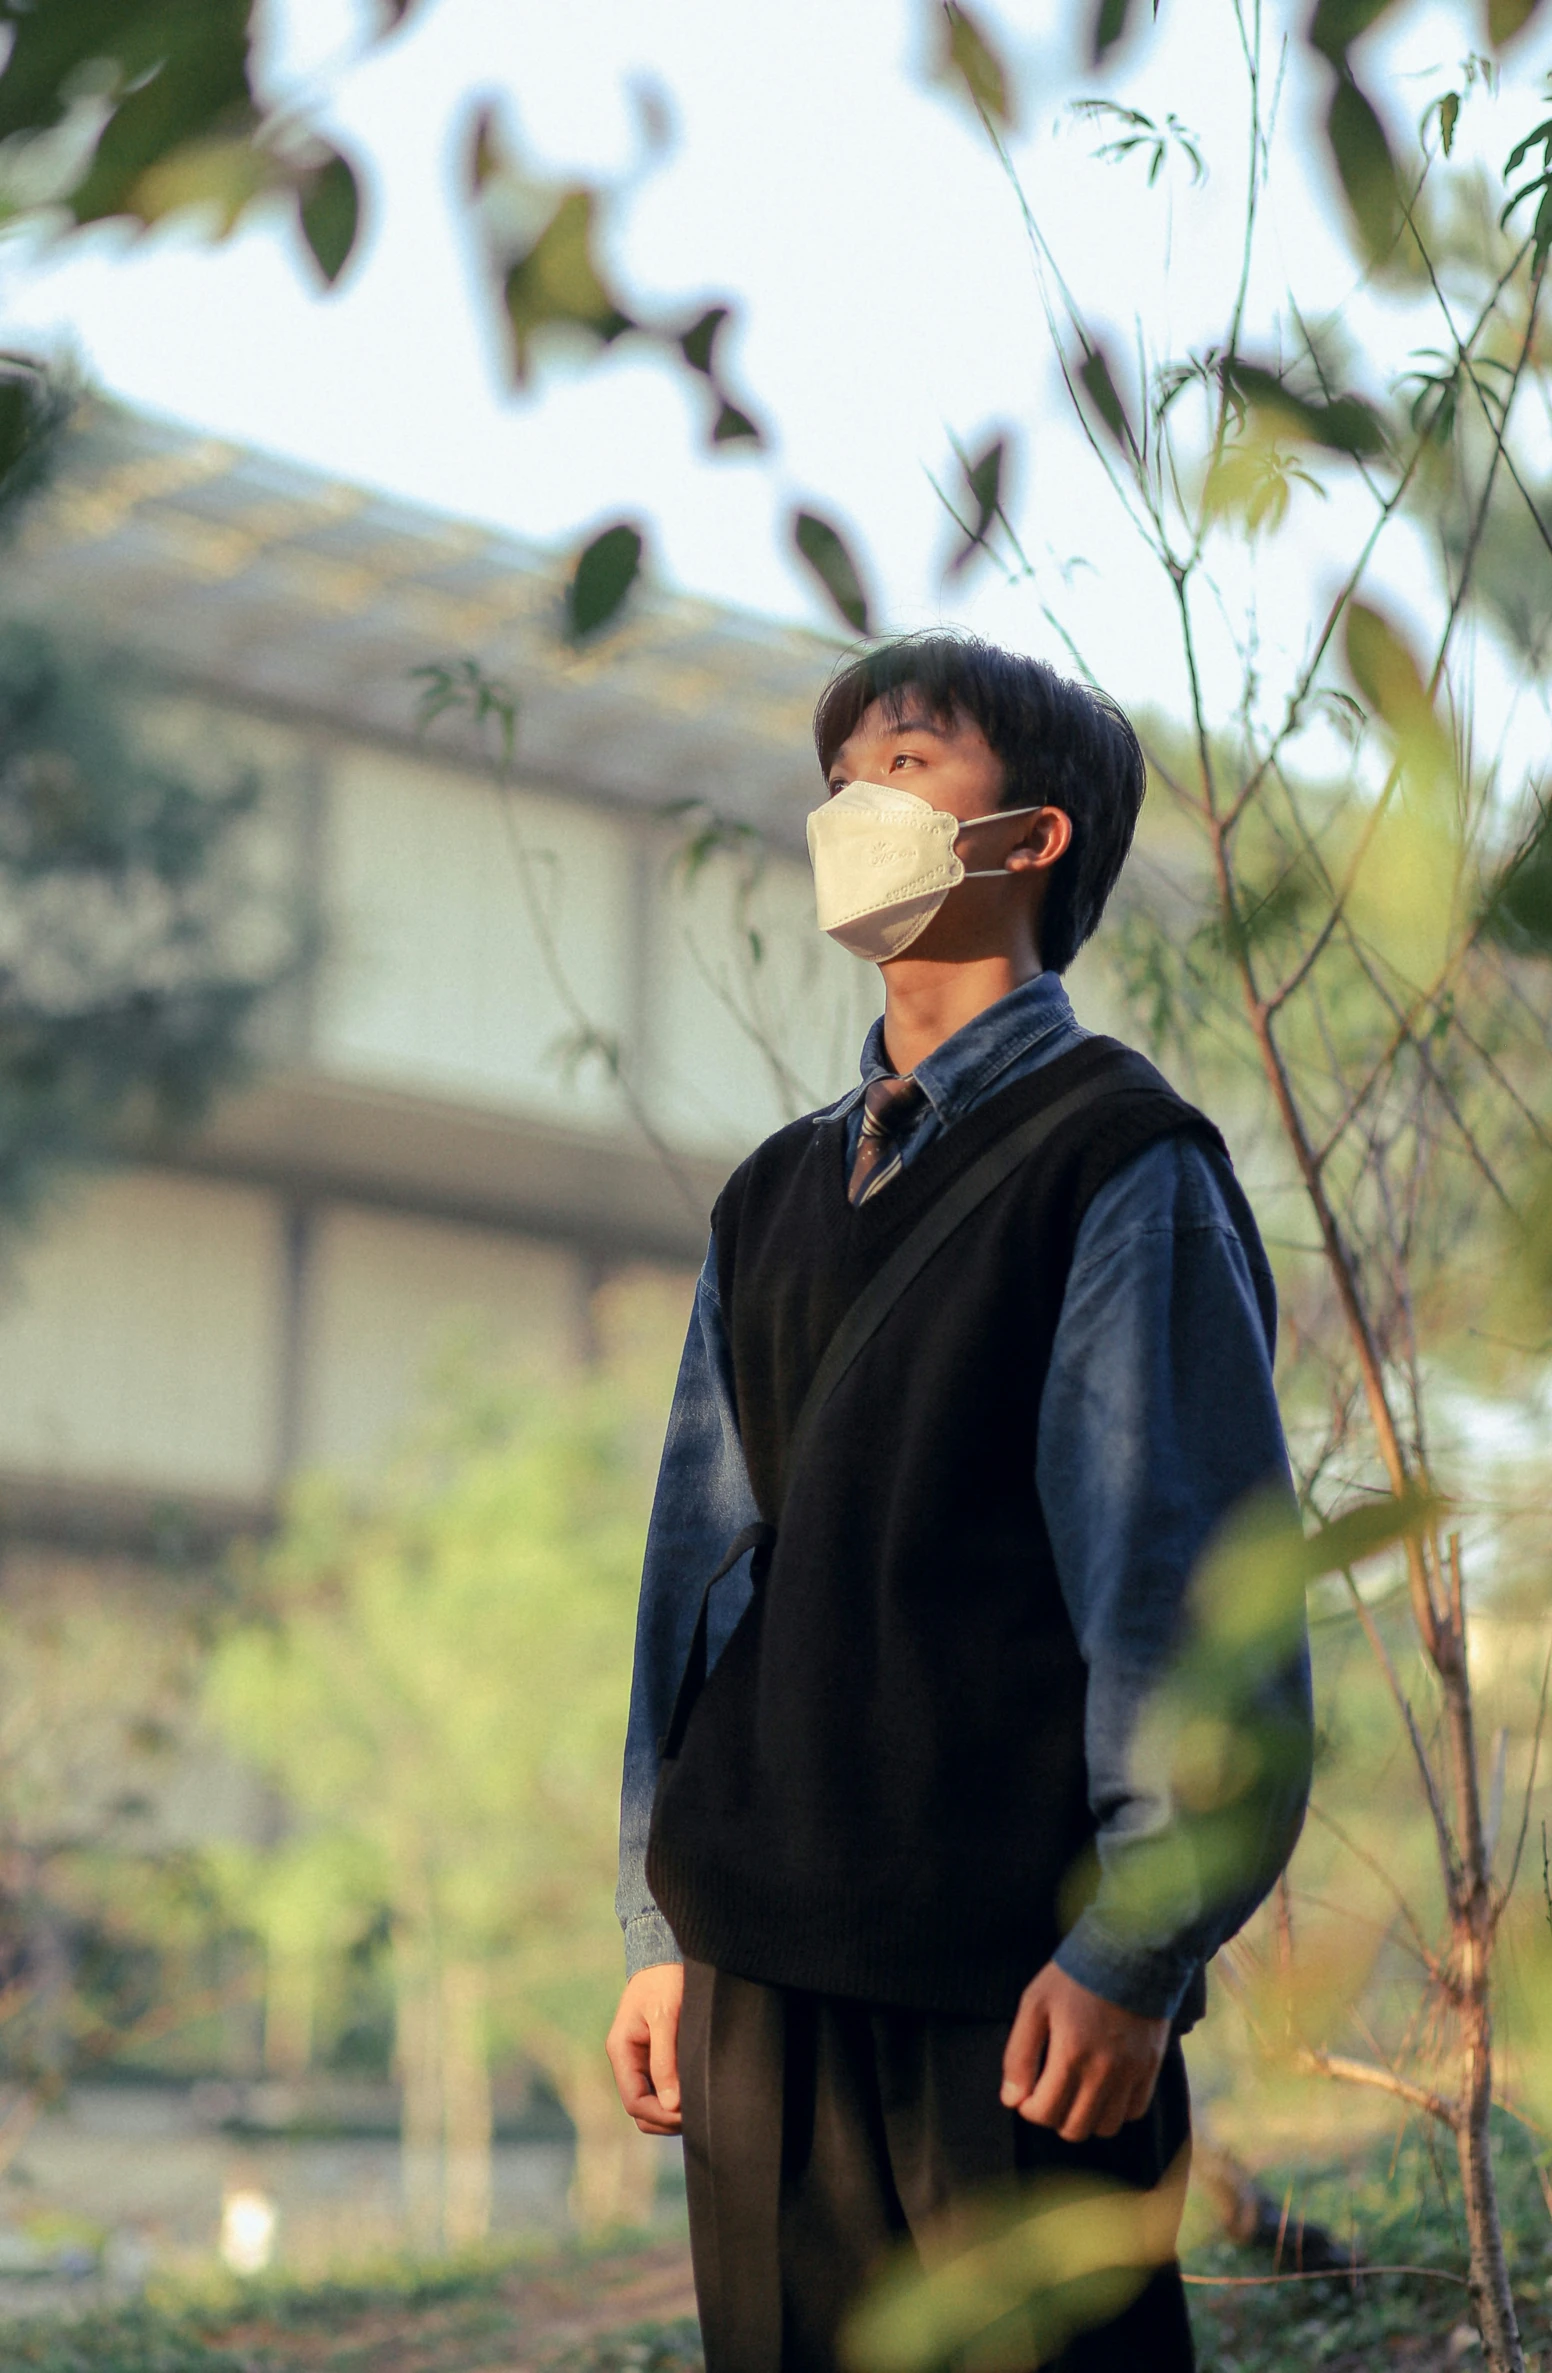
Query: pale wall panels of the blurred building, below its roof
[[201, 1335]]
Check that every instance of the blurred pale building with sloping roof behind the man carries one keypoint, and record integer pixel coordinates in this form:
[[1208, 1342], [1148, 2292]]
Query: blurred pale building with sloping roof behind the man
[[530, 1050]]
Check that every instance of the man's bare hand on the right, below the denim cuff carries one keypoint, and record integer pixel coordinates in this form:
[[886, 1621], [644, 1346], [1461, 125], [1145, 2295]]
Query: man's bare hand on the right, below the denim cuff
[[1079, 2063]]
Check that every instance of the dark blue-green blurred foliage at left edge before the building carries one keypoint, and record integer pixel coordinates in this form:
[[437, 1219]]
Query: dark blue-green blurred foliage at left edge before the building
[[139, 936]]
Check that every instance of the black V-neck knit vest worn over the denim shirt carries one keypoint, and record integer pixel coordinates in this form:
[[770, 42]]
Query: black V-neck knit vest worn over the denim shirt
[[882, 1790]]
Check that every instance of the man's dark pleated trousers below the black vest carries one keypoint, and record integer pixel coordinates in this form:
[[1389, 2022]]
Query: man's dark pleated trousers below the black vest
[[822, 2135]]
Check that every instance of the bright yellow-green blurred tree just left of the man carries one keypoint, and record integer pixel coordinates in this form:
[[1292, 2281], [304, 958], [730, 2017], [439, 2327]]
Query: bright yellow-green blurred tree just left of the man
[[435, 1679]]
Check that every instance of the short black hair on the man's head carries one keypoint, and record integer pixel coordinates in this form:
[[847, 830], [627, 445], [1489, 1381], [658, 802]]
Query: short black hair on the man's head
[[1062, 746]]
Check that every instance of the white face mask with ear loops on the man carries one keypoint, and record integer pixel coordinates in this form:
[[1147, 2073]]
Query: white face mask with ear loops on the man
[[884, 865]]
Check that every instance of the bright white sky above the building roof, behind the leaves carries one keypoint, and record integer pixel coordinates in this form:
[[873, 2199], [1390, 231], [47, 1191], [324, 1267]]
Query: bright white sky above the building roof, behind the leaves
[[858, 217]]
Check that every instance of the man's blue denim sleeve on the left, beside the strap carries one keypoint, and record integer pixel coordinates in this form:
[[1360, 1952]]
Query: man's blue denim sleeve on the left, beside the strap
[[704, 1499]]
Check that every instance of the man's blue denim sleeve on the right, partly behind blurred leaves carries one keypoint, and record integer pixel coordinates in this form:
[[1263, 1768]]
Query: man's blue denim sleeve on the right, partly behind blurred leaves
[[1159, 1418]]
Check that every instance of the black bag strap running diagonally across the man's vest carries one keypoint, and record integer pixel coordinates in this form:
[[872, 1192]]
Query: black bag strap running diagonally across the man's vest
[[858, 1330]]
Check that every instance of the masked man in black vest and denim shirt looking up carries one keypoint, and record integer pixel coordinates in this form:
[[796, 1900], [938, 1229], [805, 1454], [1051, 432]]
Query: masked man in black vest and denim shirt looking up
[[877, 1871]]
